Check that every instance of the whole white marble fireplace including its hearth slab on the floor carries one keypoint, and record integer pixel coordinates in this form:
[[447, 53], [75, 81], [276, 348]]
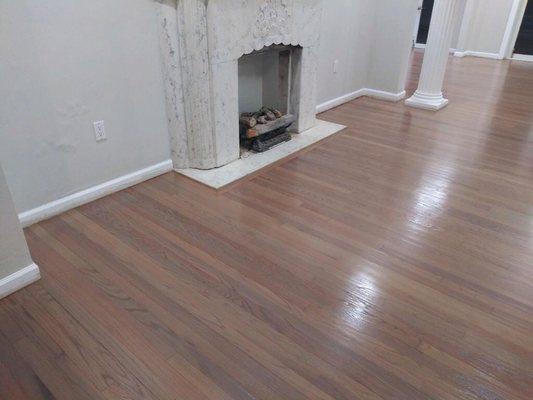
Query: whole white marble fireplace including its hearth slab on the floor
[[202, 80]]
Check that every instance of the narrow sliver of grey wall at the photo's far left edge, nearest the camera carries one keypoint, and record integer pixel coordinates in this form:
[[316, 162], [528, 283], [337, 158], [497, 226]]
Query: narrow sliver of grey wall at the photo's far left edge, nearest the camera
[[14, 254]]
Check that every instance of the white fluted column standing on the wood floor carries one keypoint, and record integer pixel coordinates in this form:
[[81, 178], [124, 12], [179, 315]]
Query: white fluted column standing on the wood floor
[[429, 92]]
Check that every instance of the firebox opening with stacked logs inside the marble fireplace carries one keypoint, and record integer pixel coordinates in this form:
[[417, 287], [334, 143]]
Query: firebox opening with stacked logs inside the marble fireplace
[[264, 98]]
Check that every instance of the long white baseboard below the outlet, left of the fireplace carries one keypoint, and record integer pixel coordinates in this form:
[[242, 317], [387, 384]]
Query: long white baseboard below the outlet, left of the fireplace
[[66, 203]]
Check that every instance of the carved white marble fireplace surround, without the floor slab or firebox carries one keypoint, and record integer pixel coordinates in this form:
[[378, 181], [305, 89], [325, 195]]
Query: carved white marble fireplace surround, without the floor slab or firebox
[[213, 36]]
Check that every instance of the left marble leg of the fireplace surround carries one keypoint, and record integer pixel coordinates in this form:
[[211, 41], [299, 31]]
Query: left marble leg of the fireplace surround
[[210, 90]]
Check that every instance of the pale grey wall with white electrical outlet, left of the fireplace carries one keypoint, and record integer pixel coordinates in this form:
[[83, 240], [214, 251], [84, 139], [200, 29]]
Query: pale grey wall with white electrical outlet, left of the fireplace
[[63, 65]]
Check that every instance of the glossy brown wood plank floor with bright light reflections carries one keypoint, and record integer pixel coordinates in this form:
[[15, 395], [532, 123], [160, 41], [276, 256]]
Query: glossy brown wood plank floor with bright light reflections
[[394, 261]]
